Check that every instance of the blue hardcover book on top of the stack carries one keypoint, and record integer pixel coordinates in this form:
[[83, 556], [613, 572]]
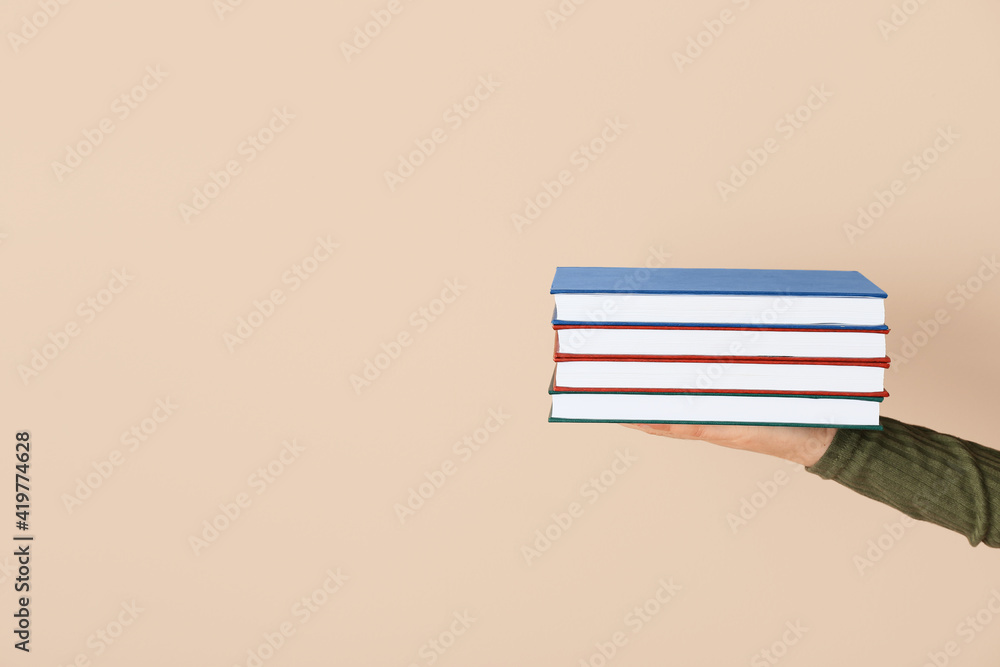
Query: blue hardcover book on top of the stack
[[790, 298]]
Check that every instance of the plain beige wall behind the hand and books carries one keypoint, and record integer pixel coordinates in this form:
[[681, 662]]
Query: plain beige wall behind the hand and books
[[652, 193]]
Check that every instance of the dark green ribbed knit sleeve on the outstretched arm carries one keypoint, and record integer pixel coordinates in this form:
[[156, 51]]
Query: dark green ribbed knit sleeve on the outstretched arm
[[928, 475]]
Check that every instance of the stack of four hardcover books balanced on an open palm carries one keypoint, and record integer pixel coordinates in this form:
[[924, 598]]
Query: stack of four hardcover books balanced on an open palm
[[718, 346]]
